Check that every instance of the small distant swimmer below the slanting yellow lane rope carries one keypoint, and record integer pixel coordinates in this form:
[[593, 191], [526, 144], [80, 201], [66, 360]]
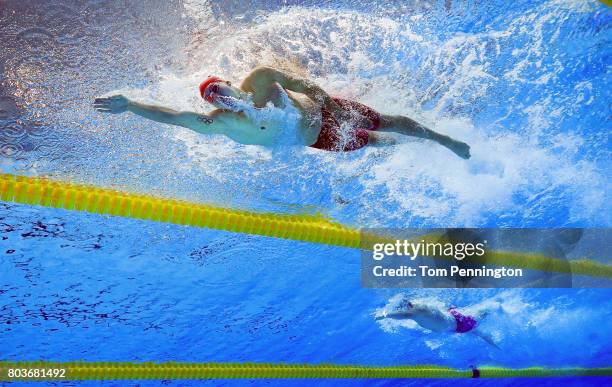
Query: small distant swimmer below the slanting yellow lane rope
[[438, 319]]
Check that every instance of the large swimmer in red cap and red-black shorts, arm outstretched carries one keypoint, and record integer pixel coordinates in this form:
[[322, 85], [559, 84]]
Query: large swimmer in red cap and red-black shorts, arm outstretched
[[325, 122]]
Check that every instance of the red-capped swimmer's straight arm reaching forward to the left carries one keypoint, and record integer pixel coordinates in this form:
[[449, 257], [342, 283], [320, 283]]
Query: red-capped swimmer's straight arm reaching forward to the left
[[202, 123]]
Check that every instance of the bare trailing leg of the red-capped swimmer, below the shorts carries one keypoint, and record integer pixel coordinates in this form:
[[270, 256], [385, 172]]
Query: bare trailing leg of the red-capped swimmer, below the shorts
[[409, 127]]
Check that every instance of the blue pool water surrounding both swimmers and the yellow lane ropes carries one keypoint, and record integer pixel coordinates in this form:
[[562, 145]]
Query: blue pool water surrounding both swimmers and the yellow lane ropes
[[527, 85]]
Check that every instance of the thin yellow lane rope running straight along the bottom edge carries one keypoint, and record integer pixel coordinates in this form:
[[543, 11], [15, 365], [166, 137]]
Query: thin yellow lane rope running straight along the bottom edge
[[46, 371]]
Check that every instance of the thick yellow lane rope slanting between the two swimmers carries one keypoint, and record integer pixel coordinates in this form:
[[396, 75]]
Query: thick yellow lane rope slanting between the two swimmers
[[306, 228]]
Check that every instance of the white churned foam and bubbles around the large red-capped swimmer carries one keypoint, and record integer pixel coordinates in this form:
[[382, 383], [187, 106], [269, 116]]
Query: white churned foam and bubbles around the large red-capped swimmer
[[511, 178]]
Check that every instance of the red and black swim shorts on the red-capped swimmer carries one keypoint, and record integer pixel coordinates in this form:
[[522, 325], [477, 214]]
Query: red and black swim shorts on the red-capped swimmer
[[331, 137]]
